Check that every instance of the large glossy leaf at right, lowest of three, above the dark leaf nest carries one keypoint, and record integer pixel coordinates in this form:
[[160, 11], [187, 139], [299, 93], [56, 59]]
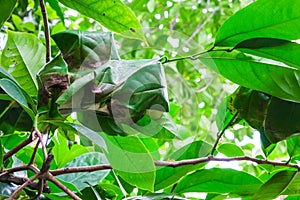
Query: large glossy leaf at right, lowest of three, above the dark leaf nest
[[277, 80]]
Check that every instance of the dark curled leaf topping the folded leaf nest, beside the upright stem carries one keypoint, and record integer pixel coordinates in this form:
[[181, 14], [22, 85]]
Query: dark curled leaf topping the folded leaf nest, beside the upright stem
[[86, 50]]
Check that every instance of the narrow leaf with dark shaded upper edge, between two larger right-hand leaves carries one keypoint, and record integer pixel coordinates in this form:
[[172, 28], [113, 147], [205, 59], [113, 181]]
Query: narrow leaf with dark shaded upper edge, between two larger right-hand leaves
[[280, 50]]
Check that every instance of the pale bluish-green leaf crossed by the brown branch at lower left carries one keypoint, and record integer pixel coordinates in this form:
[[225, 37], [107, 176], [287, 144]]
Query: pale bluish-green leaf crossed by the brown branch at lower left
[[85, 179]]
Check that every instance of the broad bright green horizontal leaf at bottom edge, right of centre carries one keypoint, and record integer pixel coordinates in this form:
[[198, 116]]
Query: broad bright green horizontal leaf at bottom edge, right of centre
[[219, 181]]
